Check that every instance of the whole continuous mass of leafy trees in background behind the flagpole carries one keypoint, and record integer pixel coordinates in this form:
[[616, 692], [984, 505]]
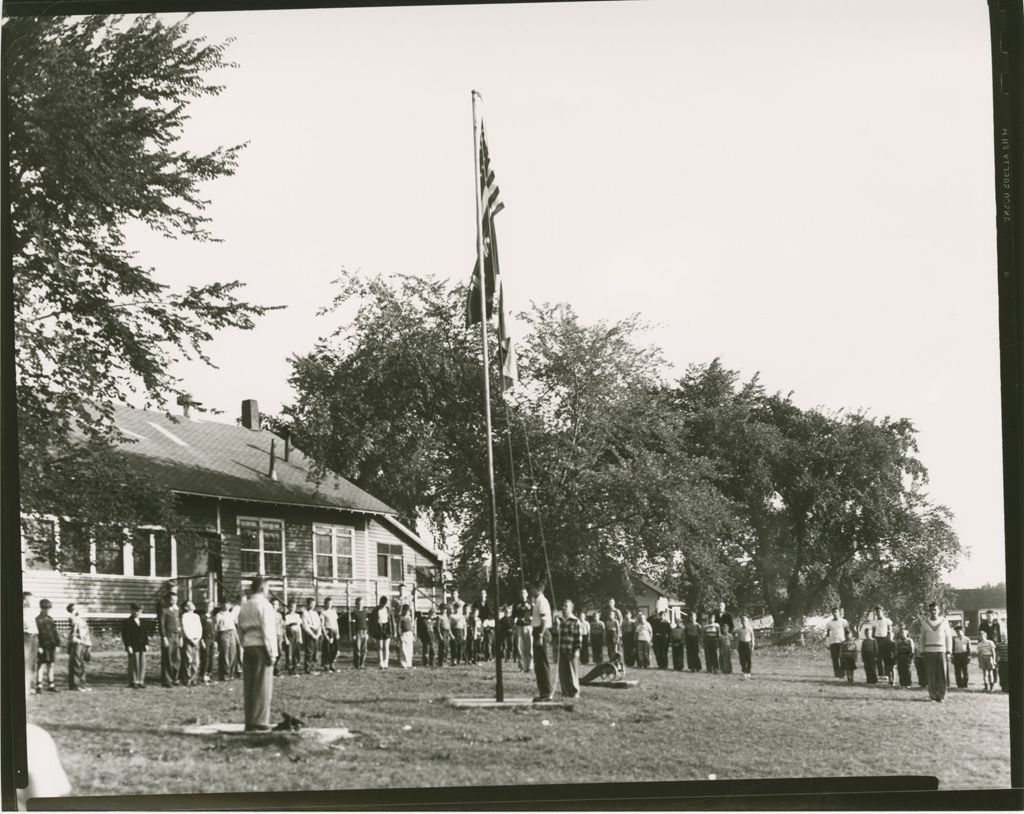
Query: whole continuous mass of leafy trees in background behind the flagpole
[[715, 488]]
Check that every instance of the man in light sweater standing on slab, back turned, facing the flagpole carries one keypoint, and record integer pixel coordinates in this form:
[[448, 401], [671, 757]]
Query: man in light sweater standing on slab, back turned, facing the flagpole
[[259, 632]]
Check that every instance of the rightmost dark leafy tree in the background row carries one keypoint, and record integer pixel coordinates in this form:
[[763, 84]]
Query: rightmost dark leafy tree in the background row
[[834, 505]]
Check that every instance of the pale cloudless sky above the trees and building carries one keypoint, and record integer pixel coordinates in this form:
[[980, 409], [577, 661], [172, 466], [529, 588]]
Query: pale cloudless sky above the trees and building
[[801, 189]]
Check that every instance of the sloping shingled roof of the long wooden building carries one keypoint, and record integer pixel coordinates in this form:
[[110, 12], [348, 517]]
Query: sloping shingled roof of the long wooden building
[[201, 457]]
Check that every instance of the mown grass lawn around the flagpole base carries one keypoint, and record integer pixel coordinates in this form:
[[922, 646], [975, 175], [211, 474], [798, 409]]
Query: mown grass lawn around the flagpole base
[[792, 720]]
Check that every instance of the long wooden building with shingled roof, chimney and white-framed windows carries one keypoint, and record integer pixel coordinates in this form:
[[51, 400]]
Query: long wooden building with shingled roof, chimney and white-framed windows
[[252, 507]]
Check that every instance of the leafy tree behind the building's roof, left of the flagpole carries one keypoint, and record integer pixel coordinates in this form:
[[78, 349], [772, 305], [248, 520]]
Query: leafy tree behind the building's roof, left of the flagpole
[[394, 400]]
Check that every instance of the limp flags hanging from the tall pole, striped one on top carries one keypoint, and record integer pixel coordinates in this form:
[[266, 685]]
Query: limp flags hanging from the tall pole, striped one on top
[[491, 206]]
